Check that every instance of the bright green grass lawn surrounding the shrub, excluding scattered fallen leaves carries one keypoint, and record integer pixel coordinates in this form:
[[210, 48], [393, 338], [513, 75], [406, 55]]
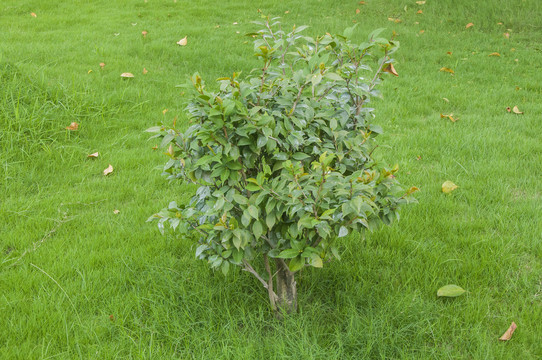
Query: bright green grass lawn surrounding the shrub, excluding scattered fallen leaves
[[81, 280]]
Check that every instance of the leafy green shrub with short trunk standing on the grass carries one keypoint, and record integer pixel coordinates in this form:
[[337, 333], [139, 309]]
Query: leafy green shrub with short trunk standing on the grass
[[283, 158]]
